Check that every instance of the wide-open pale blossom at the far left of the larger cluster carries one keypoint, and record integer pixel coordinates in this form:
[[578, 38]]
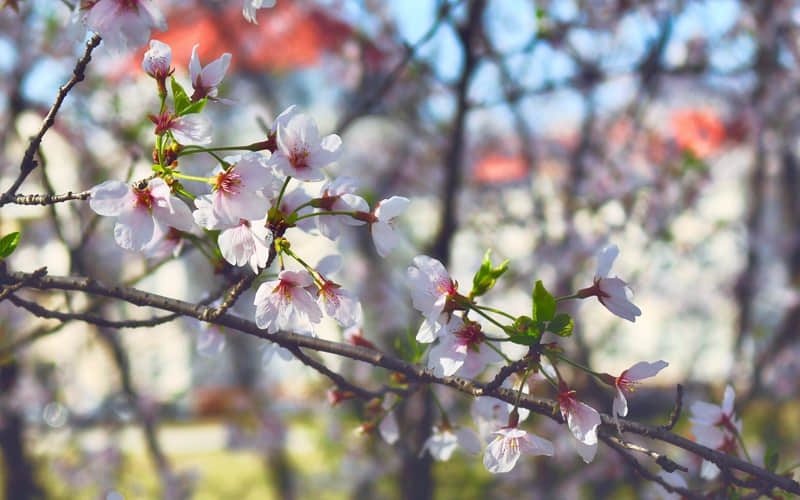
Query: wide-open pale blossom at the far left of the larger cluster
[[143, 214]]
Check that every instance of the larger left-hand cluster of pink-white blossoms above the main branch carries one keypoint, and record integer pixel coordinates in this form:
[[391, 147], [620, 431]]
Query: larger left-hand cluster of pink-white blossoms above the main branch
[[254, 198]]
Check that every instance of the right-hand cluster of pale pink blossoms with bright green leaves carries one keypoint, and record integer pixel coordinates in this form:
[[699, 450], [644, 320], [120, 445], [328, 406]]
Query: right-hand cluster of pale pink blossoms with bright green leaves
[[463, 348]]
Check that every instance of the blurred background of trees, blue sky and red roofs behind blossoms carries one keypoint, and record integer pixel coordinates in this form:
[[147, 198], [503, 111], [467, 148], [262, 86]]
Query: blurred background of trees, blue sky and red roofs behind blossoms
[[543, 130]]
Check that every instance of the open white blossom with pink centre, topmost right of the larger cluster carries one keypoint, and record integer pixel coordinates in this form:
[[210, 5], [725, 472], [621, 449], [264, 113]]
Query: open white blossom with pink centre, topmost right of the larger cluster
[[301, 153]]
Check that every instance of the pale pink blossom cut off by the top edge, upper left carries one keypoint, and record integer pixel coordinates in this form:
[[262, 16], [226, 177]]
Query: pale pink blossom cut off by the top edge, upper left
[[122, 24]]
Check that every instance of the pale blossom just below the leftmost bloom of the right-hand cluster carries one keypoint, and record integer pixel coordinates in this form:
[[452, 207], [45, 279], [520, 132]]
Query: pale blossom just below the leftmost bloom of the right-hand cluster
[[462, 349]]
